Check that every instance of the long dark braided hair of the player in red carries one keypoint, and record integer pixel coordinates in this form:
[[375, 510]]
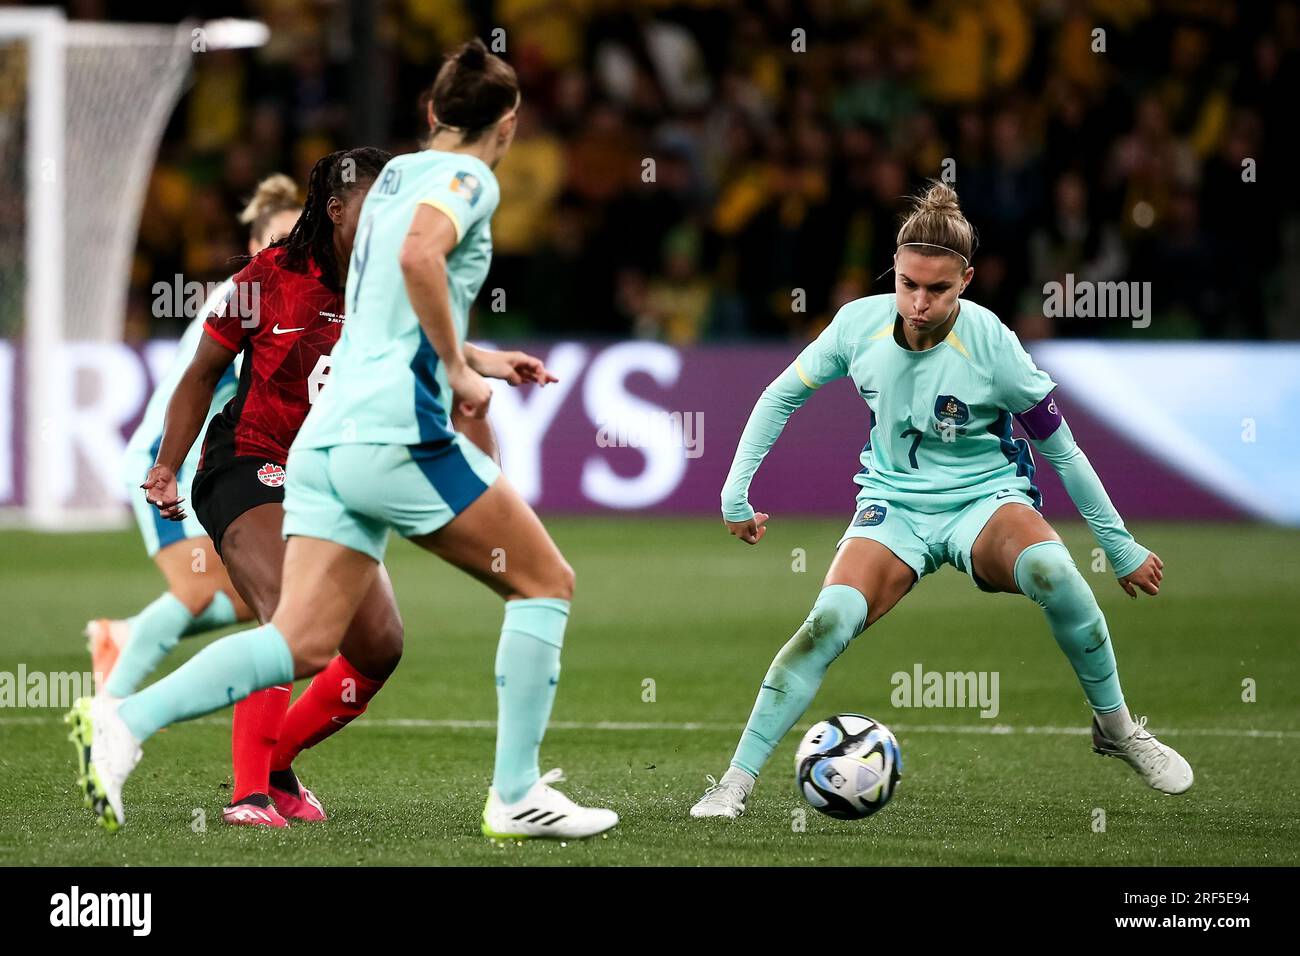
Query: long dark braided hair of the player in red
[[335, 176]]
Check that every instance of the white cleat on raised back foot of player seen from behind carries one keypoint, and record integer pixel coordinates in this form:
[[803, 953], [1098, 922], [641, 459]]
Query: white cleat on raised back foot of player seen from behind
[[107, 752]]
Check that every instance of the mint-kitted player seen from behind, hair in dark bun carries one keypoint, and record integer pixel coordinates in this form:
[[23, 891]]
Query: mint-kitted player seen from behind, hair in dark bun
[[378, 452]]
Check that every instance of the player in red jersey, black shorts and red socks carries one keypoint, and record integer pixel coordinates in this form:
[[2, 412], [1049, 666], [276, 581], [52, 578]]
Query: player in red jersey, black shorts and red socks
[[284, 314]]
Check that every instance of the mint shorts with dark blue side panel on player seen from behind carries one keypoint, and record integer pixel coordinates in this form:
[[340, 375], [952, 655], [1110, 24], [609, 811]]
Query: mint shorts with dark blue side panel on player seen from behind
[[353, 495]]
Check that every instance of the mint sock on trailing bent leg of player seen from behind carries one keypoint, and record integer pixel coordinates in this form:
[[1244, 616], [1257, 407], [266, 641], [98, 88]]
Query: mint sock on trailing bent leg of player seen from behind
[[219, 676]]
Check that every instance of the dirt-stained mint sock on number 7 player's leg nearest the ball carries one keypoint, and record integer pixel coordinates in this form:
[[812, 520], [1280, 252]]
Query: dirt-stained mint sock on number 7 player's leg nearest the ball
[[792, 682]]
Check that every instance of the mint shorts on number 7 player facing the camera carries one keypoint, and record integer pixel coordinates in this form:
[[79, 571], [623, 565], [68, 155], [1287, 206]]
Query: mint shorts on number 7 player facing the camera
[[925, 543]]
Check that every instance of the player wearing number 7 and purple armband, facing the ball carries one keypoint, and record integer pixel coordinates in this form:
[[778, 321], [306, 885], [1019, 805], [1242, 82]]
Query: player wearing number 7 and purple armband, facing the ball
[[942, 482]]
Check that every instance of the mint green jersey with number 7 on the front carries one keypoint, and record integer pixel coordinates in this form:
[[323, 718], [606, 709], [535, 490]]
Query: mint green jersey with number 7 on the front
[[942, 418]]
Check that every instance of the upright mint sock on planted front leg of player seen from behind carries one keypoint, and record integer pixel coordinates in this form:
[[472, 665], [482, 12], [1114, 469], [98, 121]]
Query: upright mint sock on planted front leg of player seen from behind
[[528, 669]]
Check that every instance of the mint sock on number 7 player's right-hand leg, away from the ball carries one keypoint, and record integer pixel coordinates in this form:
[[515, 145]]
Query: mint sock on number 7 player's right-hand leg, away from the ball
[[1047, 574]]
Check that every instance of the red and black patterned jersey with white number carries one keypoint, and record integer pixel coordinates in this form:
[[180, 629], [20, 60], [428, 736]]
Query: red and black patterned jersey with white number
[[287, 325]]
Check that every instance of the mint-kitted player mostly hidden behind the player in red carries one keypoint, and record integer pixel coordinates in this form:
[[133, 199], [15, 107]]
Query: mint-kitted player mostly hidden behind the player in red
[[200, 595]]
